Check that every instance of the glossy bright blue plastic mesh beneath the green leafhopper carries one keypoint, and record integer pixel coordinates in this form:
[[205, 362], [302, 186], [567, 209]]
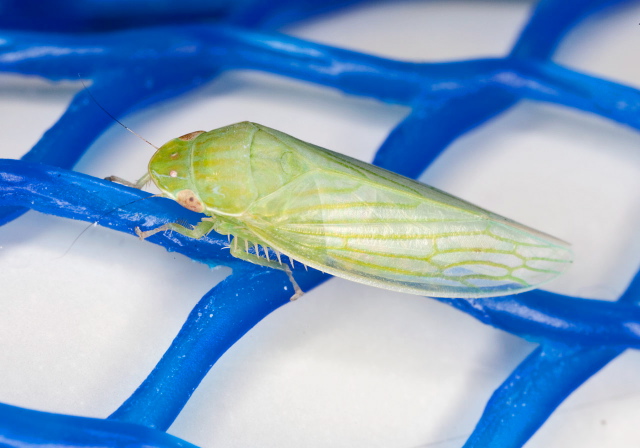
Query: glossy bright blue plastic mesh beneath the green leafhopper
[[187, 45]]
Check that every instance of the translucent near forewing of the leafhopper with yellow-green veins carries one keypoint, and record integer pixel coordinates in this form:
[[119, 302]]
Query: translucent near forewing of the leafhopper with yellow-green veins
[[396, 239]]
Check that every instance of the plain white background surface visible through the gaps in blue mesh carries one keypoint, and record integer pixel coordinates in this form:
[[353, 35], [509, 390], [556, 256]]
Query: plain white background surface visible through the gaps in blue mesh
[[347, 365]]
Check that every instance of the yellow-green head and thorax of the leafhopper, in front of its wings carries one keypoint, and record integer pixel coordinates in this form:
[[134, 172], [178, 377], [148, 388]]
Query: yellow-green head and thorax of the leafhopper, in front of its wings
[[229, 168]]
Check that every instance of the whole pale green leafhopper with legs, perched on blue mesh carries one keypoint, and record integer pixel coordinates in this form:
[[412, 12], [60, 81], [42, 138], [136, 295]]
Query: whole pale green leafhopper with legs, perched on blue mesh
[[345, 217]]
